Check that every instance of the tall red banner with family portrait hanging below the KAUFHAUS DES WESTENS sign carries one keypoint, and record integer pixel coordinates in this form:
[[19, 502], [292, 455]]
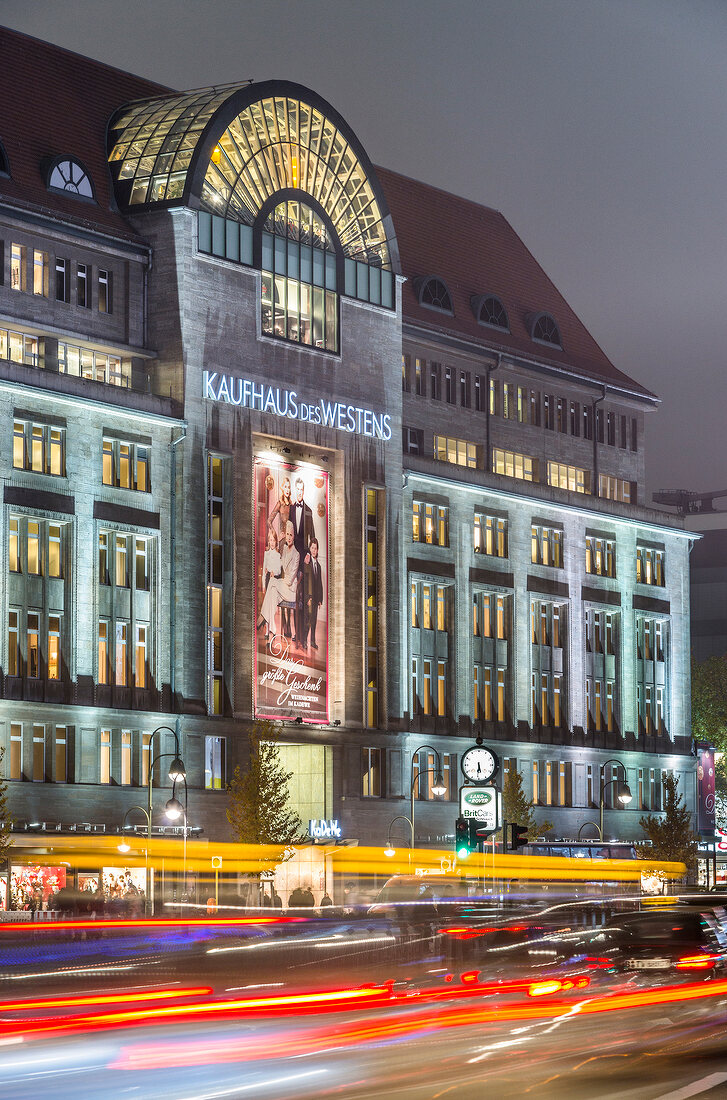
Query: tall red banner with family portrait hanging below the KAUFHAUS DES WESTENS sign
[[292, 568]]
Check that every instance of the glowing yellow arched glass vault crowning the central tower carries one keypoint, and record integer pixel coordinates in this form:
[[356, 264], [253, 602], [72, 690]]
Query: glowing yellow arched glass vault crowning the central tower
[[234, 149]]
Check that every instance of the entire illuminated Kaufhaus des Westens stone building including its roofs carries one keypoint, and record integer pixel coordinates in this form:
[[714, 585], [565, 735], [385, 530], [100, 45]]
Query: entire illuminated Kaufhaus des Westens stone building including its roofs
[[295, 437]]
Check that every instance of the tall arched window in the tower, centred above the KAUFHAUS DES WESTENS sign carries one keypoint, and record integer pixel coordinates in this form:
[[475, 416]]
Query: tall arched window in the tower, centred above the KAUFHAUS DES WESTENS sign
[[299, 265]]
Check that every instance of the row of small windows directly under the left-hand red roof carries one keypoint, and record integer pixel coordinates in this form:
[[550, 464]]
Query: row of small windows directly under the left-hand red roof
[[35, 272]]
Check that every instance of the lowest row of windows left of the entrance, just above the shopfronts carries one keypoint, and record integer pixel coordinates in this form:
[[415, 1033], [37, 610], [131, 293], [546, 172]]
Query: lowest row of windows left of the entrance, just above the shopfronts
[[124, 756]]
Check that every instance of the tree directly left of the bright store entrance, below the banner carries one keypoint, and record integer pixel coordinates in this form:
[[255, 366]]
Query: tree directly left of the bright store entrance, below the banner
[[259, 811]]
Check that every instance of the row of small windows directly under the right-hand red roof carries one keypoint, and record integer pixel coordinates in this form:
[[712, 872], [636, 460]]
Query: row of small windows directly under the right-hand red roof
[[517, 403]]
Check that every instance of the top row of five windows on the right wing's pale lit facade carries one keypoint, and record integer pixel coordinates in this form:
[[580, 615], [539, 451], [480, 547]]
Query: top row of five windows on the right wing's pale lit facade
[[431, 524]]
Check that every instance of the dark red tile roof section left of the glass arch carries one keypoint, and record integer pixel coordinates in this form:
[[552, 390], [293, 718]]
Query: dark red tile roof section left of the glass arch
[[57, 103]]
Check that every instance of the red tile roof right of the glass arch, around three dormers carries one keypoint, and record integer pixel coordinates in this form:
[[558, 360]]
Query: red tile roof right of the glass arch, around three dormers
[[476, 251]]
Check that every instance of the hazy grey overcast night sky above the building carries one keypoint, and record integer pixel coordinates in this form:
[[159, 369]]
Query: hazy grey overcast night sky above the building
[[598, 127]]
